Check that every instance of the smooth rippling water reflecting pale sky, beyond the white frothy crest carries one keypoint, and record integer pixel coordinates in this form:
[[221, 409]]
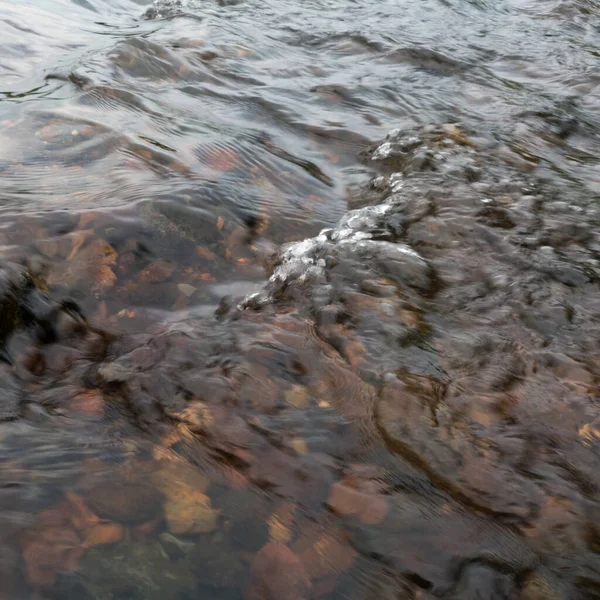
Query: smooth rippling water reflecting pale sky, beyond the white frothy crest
[[217, 116]]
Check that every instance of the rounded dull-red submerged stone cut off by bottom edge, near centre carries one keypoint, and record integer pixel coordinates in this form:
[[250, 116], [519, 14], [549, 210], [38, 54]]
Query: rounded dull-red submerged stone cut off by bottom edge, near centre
[[277, 574]]
